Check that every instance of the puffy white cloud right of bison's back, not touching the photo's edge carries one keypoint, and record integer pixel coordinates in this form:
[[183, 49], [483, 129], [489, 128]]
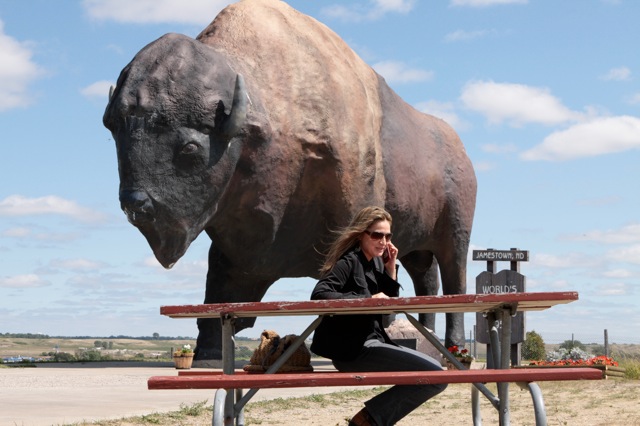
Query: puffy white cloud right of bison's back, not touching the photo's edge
[[515, 103]]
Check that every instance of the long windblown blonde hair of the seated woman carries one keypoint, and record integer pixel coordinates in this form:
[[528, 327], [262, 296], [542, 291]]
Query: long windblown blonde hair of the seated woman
[[349, 237]]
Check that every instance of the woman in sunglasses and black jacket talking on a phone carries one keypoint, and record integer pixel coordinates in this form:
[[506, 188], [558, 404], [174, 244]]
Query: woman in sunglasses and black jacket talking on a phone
[[354, 268]]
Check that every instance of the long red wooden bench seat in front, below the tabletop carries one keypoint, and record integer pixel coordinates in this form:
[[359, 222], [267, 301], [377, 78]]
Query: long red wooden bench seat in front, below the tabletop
[[217, 380]]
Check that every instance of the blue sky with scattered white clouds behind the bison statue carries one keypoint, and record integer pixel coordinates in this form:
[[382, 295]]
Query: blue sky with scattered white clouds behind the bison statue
[[544, 94]]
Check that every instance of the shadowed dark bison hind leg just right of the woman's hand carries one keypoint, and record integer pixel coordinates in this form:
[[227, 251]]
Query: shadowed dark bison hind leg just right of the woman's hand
[[422, 267]]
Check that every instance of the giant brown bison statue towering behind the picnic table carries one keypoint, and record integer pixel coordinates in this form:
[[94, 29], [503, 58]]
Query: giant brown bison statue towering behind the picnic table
[[267, 132]]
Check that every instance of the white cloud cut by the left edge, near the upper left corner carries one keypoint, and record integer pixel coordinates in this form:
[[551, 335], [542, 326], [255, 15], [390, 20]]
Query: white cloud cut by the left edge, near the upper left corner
[[16, 73]]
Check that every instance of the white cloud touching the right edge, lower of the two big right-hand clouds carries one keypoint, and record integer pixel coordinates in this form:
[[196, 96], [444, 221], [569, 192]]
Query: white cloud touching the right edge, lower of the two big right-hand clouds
[[599, 136]]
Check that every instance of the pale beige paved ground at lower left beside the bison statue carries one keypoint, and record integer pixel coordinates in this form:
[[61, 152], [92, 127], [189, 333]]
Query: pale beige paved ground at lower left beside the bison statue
[[58, 394]]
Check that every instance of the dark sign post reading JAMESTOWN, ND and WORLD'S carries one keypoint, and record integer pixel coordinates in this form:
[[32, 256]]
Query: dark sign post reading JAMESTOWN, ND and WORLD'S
[[505, 281]]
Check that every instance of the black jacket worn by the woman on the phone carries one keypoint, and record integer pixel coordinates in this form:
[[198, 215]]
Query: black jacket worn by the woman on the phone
[[341, 337]]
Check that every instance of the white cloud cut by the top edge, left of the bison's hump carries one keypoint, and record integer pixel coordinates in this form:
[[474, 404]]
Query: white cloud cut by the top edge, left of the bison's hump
[[199, 12]]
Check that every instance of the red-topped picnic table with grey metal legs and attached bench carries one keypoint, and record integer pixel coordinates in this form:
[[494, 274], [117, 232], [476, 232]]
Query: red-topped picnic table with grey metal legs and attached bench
[[499, 309]]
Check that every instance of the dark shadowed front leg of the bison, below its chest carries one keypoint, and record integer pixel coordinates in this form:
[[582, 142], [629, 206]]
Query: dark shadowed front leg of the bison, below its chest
[[226, 283]]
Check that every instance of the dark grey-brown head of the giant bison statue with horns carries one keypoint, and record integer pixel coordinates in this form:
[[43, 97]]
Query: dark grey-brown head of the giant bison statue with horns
[[177, 114]]
